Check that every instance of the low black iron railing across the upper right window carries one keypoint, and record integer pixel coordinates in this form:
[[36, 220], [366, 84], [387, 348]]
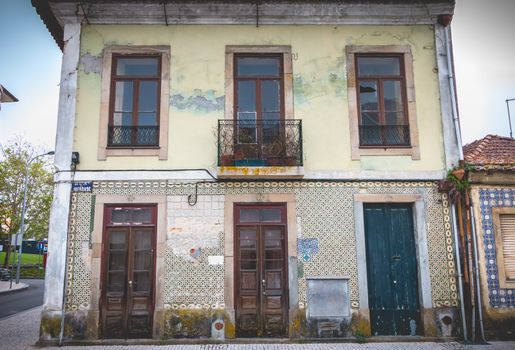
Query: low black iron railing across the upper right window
[[384, 135]]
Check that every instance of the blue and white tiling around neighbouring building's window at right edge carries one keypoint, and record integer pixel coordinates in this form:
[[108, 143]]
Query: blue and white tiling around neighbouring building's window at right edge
[[491, 198]]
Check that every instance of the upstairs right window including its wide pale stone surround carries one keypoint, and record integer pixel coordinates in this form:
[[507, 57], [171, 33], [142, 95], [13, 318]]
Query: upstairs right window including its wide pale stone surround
[[381, 94]]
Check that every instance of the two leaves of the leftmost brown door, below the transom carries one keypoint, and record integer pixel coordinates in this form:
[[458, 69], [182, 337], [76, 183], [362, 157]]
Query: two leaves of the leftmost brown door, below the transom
[[127, 304]]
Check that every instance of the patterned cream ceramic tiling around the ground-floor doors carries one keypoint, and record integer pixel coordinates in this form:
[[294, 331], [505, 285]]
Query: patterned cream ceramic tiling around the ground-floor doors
[[324, 210]]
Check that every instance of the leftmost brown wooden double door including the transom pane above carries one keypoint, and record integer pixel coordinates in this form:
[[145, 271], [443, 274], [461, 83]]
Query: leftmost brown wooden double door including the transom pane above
[[127, 303]]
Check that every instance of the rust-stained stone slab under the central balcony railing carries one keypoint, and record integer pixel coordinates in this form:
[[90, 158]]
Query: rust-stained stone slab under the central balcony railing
[[260, 172]]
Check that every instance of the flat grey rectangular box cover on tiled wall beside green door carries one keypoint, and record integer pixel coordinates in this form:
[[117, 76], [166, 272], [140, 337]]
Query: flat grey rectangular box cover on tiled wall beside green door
[[328, 297]]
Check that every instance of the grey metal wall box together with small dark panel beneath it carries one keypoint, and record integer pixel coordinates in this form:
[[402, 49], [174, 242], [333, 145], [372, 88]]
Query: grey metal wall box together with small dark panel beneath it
[[328, 305]]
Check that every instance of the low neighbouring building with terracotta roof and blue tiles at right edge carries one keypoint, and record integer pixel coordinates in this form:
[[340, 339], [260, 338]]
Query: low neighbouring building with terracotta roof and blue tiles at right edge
[[492, 161]]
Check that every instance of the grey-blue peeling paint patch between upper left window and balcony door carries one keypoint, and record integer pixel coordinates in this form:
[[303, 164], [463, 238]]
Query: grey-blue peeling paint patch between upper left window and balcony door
[[203, 101]]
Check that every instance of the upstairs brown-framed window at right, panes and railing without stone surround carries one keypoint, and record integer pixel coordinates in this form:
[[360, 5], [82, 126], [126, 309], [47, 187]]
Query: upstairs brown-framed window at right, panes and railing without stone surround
[[382, 100]]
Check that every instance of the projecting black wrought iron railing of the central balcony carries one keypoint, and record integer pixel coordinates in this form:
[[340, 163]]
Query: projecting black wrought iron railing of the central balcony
[[262, 143]]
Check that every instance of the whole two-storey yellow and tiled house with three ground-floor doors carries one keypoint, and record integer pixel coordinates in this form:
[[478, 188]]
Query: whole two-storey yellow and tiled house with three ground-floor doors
[[247, 169]]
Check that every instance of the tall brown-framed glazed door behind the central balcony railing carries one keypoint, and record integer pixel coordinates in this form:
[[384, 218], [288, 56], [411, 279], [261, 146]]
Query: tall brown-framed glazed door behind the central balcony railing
[[259, 105]]
